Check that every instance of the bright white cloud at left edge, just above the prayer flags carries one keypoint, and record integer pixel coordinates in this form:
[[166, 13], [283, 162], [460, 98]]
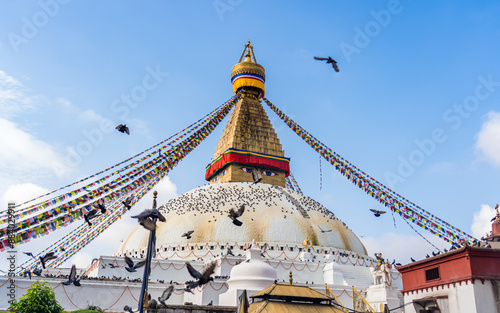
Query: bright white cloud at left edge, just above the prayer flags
[[20, 150]]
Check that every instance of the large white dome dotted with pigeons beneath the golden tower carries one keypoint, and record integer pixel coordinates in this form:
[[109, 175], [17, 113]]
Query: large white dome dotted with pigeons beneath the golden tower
[[272, 214]]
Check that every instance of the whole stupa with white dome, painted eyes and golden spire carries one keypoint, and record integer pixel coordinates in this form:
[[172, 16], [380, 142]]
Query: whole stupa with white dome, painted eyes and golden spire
[[294, 233]]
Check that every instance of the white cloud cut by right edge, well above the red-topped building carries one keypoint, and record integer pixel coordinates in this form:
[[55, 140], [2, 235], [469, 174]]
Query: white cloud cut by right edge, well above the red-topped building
[[488, 138]]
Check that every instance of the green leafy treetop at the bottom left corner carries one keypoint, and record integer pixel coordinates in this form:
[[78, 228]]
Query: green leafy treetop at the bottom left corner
[[39, 298]]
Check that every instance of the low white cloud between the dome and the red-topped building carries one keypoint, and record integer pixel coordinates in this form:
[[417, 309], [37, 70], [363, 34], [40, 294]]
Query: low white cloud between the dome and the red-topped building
[[400, 247]]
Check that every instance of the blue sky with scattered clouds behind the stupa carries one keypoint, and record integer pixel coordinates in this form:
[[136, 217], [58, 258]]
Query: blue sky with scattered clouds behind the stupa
[[419, 84]]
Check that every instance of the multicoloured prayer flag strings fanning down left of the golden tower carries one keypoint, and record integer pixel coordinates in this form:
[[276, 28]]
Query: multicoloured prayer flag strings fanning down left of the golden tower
[[67, 208]]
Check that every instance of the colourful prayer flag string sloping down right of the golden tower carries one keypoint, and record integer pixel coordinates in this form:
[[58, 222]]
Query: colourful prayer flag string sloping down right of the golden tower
[[397, 203]]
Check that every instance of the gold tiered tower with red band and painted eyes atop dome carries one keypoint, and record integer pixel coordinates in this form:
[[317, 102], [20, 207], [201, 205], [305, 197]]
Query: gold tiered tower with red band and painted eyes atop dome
[[249, 140]]
